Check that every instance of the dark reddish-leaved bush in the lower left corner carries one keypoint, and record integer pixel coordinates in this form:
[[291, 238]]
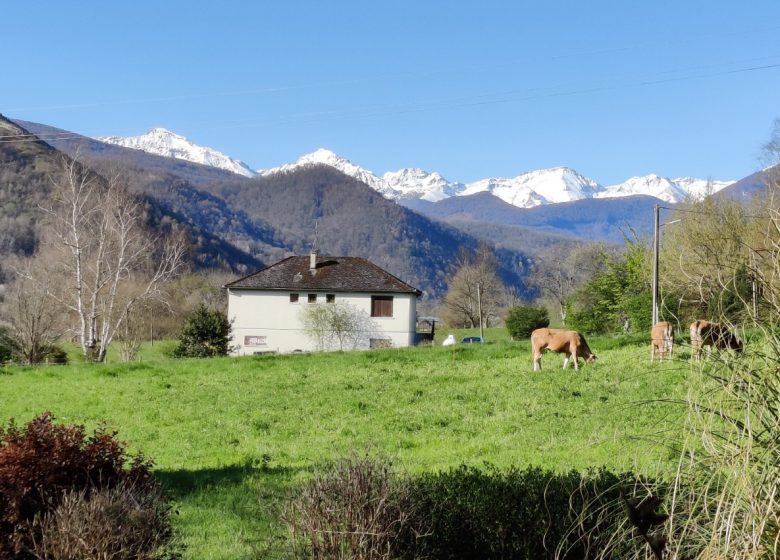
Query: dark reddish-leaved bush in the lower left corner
[[42, 462]]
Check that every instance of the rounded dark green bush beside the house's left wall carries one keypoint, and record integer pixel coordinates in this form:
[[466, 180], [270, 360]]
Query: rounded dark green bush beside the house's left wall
[[206, 333]]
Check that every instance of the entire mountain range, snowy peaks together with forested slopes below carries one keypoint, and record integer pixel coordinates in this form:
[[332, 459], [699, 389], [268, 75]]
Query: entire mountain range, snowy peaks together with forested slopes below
[[411, 222]]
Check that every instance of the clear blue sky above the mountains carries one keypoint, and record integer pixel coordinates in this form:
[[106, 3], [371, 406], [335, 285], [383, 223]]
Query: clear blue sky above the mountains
[[469, 89]]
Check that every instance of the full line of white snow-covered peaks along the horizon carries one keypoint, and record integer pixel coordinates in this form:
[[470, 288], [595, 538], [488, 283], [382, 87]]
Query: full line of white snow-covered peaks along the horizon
[[526, 190]]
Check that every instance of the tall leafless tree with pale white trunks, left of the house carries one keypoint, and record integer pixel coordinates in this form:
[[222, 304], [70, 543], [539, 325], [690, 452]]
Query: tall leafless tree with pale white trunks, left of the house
[[107, 259]]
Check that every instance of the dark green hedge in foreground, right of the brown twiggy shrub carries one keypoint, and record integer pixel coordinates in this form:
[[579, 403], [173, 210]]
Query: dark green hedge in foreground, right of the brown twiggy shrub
[[530, 514]]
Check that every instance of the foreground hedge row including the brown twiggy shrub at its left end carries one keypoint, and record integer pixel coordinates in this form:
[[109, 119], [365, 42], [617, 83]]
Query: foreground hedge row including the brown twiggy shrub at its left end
[[360, 509]]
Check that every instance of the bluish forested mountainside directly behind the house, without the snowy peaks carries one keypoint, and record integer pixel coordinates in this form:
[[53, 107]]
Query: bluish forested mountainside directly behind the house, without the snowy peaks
[[269, 217]]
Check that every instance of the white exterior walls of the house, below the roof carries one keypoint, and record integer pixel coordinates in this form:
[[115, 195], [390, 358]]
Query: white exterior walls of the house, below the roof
[[274, 324]]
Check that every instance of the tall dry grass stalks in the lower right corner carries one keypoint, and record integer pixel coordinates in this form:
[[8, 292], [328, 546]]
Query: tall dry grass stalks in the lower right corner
[[726, 493]]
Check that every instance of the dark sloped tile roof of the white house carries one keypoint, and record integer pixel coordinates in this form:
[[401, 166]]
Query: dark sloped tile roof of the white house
[[337, 274]]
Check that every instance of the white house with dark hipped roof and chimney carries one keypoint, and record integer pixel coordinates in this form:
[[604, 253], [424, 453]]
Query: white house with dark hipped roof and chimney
[[267, 307]]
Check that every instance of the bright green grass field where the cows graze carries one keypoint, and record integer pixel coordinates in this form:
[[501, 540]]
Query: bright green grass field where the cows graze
[[231, 436]]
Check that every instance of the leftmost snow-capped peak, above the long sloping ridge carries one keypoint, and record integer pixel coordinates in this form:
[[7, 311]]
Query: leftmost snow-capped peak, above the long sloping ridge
[[163, 142]]
